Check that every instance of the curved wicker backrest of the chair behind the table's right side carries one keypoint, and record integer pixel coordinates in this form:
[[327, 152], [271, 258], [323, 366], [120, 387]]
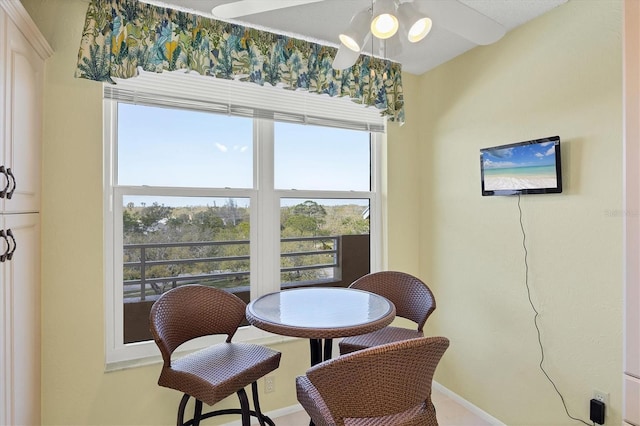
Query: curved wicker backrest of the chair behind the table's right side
[[412, 297]]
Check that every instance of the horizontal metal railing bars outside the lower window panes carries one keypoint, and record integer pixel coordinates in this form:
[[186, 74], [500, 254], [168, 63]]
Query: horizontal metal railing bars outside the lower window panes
[[153, 269]]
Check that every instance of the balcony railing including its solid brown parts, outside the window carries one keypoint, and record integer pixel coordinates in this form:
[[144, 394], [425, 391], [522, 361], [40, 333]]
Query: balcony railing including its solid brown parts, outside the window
[[348, 260]]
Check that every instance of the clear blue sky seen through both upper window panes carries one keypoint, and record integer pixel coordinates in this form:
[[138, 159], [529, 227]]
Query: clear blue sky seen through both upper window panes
[[180, 148]]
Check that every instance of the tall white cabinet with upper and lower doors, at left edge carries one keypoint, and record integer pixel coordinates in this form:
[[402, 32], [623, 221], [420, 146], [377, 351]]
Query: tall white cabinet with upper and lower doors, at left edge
[[23, 51]]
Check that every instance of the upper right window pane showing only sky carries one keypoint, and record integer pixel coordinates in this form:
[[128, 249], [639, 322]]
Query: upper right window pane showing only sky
[[321, 158]]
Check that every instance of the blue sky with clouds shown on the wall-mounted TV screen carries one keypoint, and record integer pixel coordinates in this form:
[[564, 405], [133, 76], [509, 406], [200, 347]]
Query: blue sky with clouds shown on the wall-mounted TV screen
[[540, 154]]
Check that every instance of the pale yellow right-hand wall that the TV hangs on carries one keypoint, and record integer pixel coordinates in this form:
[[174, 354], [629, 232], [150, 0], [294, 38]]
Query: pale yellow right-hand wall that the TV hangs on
[[558, 75]]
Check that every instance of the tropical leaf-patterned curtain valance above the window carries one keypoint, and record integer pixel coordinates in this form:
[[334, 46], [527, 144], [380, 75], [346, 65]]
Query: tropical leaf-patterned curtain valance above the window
[[121, 35]]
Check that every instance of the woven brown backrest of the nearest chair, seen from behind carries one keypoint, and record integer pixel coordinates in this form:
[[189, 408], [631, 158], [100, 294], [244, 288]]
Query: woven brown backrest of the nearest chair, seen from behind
[[379, 381]]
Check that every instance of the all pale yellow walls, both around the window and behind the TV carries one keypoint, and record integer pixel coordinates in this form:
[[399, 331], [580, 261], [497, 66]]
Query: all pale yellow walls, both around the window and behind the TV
[[557, 75]]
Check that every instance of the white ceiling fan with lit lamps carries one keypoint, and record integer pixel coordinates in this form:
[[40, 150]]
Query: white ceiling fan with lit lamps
[[452, 15]]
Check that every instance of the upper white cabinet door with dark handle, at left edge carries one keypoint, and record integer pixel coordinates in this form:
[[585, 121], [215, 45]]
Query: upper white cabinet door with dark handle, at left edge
[[23, 79]]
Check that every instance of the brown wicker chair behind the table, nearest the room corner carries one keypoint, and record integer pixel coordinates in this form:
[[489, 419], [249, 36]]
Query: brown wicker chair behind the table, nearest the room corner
[[413, 299]]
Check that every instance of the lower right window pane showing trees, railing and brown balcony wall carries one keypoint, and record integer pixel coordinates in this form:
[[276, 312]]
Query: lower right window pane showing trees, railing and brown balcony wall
[[324, 241]]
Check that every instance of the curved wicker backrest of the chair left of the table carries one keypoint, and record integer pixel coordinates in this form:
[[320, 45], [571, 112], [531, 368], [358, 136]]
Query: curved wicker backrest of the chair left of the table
[[192, 311]]
